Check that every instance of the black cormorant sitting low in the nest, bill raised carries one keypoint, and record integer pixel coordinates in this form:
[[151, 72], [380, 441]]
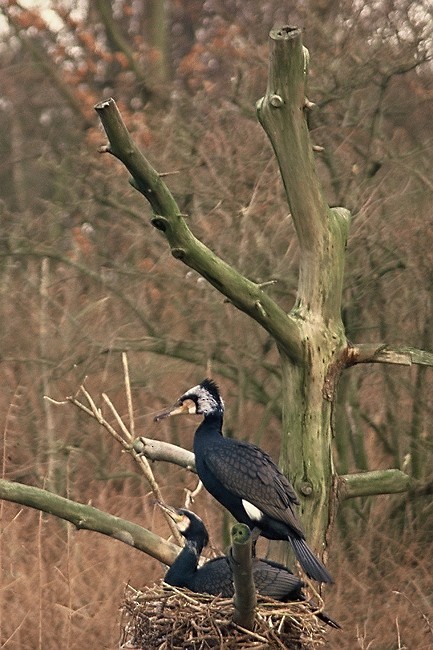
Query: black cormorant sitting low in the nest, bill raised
[[215, 576]]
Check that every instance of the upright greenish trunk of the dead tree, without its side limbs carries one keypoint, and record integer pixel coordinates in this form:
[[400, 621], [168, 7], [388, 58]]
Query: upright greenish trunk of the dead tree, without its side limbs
[[308, 386]]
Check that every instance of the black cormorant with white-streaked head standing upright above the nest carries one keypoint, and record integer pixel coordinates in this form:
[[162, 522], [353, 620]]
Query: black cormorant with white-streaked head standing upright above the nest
[[243, 478]]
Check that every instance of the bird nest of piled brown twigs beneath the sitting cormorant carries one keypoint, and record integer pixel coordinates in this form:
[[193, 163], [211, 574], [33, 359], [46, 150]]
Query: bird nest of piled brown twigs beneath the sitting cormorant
[[169, 618]]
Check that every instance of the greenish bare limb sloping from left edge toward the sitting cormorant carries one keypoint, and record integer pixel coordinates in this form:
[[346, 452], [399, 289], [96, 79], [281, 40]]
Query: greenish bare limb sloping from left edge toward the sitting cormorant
[[90, 518]]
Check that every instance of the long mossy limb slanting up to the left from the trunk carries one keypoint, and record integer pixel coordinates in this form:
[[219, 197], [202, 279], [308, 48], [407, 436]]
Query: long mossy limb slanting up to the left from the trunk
[[246, 295]]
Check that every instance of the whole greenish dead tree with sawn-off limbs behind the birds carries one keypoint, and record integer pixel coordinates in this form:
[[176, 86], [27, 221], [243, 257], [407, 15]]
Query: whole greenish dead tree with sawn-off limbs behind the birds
[[311, 339]]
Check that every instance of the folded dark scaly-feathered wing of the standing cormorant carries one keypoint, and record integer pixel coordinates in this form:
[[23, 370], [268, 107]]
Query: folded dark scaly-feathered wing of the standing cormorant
[[250, 473]]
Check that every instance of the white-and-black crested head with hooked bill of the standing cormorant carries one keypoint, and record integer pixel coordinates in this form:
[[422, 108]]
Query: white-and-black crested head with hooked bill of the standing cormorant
[[203, 399]]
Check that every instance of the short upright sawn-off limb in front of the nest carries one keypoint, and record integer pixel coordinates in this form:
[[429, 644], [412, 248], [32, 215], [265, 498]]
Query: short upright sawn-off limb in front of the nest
[[244, 599]]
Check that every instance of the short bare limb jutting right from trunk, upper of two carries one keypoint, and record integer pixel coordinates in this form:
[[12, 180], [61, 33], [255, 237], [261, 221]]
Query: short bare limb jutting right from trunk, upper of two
[[382, 353]]
